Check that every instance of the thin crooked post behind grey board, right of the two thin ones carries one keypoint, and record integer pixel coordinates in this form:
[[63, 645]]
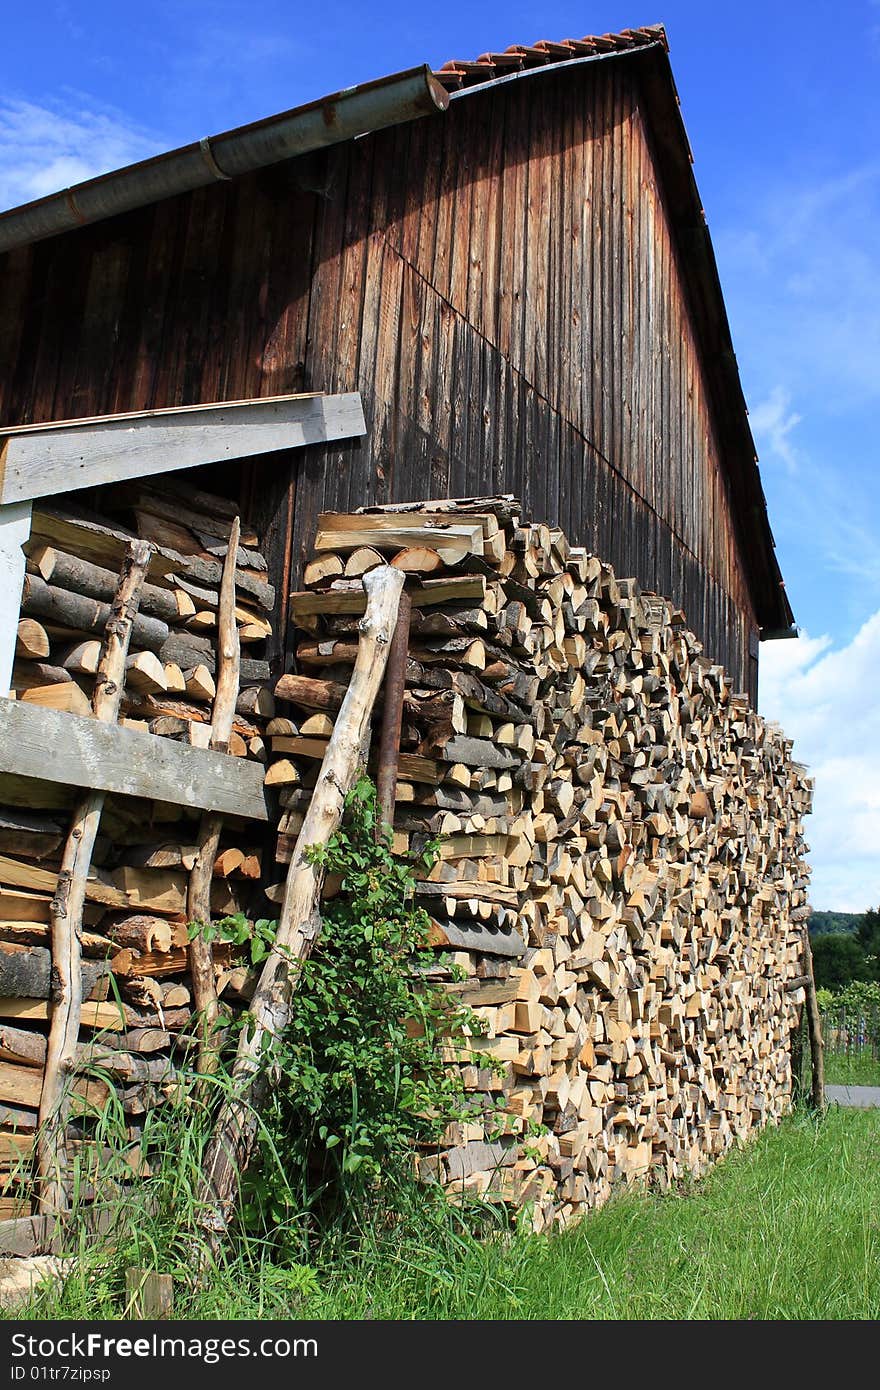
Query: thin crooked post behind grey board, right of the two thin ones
[[199, 889]]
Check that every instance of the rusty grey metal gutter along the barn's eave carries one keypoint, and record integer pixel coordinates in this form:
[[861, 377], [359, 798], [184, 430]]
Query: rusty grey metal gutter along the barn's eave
[[339, 117]]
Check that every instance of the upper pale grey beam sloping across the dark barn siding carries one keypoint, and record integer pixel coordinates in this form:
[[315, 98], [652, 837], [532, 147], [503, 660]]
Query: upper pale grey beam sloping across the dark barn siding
[[44, 461]]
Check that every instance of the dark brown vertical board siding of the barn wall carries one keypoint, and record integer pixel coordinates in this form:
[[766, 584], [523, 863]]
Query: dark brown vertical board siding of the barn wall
[[498, 283]]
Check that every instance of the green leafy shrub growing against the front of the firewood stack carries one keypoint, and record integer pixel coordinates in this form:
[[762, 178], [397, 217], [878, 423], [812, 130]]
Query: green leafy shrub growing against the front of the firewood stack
[[361, 1075]]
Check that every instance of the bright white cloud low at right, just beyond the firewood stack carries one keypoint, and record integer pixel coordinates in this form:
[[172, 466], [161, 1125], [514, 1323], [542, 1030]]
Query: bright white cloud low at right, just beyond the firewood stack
[[826, 701]]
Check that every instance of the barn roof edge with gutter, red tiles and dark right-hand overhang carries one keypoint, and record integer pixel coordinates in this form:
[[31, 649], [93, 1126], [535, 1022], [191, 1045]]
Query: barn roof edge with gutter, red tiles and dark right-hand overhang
[[418, 92]]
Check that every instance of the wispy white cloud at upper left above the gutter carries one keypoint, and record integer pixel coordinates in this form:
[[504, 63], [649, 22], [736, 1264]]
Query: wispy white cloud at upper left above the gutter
[[47, 148]]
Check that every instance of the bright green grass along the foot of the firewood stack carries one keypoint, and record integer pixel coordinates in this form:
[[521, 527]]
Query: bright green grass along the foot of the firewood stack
[[786, 1229]]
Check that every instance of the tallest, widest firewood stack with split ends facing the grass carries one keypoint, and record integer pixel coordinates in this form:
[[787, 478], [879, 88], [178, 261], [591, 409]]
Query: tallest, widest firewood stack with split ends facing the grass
[[622, 857]]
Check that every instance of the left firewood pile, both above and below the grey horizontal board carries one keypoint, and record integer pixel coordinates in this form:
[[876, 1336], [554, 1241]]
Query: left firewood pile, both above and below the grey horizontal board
[[137, 989]]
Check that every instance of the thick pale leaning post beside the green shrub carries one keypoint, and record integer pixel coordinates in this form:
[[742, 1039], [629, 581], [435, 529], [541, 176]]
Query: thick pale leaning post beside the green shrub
[[236, 1132]]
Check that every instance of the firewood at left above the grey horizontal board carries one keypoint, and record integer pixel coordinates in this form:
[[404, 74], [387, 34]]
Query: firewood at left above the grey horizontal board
[[74, 557]]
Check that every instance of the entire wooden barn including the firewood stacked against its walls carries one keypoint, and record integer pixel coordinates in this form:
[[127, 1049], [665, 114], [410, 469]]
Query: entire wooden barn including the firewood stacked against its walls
[[455, 330]]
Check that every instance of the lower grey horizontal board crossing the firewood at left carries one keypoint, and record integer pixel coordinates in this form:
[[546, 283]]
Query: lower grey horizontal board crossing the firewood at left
[[81, 753]]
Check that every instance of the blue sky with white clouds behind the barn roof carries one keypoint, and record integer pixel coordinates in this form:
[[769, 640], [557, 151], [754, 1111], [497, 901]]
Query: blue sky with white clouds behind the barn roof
[[782, 109]]
